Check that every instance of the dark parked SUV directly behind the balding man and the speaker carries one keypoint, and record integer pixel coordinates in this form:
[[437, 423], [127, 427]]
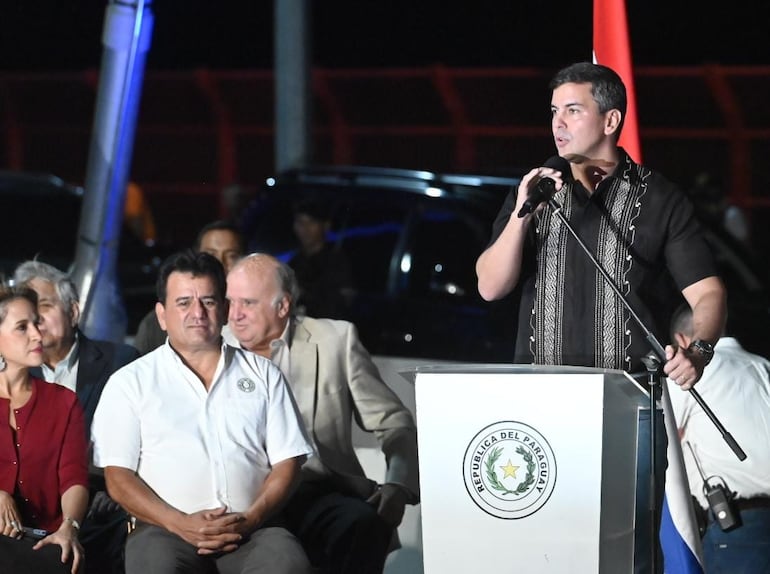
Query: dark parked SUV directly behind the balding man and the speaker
[[413, 238]]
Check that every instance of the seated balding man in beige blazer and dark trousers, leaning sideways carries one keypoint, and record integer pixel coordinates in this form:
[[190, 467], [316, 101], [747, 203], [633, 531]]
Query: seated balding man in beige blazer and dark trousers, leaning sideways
[[345, 521]]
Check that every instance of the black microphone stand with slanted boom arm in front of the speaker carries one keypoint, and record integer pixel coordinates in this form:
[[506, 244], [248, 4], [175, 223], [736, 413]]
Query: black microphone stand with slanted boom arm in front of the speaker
[[653, 361]]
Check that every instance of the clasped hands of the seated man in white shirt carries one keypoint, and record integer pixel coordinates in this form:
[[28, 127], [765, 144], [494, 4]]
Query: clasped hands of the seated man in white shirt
[[215, 530]]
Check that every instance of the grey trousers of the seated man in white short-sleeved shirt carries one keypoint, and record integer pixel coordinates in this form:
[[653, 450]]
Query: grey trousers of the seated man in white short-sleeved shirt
[[154, 550]]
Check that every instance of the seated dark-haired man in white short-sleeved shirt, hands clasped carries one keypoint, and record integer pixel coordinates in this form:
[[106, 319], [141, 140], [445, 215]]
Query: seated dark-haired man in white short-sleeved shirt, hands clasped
[[201, 442]]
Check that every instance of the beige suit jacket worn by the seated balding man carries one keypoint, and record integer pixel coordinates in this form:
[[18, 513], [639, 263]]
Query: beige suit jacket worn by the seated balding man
[[335, 382]]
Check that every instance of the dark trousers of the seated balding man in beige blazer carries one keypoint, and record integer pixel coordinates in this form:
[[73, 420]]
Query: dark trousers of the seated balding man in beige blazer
[[340, 533]]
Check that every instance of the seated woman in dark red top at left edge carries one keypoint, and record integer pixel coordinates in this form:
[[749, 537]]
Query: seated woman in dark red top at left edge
[[43, 460]]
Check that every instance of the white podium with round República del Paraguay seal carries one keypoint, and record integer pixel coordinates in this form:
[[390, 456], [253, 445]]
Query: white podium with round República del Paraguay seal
[[527, 469]]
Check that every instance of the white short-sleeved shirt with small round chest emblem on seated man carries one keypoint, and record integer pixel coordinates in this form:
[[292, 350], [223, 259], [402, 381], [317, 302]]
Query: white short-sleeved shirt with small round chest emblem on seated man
[[197, 449]]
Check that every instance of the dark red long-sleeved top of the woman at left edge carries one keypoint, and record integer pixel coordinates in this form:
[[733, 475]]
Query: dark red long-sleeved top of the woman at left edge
[[46, 455]]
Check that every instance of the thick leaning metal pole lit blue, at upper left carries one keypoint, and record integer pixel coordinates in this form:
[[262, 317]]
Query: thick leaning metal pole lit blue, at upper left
[[126, 40]]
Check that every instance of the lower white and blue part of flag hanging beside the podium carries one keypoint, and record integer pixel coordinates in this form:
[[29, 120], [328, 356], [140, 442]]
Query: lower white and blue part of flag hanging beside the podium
[[679, 536]]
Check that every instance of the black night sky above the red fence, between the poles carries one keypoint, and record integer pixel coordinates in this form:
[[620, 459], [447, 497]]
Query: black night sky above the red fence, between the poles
[[56, 34]]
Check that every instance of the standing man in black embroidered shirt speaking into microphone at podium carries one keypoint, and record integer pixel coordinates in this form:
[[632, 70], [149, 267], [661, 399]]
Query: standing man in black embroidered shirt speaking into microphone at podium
[[639, 227]]
